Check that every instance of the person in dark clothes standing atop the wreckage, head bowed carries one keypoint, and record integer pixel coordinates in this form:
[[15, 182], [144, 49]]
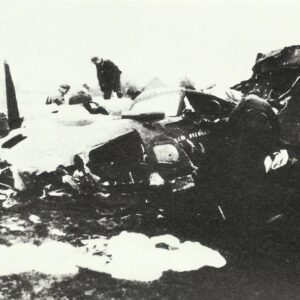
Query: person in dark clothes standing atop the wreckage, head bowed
[[108, 76]]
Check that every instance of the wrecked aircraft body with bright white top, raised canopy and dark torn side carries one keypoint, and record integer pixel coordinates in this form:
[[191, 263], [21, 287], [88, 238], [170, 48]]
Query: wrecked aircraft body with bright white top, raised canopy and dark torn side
[[150, 145]]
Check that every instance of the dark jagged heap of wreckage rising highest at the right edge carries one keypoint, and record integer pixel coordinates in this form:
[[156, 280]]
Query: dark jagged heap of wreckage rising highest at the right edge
[[276, 78]]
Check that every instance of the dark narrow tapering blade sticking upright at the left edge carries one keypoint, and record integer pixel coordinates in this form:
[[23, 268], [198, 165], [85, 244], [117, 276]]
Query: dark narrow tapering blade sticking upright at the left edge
[[14, 119]]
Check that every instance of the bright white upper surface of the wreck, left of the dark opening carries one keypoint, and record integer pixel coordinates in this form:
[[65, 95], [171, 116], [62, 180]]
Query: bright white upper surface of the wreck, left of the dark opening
[[44, 145]]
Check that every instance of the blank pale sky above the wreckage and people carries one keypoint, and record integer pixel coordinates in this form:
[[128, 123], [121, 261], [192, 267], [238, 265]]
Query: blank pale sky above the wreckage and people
[[51, 42]]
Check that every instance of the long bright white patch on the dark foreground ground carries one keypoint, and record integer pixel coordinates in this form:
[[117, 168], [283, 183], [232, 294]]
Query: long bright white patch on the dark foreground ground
[[130, 256]]
